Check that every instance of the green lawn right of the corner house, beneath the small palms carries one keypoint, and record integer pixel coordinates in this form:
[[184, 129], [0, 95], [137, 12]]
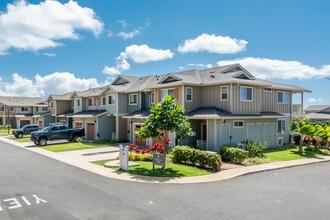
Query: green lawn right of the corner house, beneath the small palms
[[291, 152]]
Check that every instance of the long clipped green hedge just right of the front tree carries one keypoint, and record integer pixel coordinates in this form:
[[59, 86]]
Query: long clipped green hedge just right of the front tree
[[184, 154]]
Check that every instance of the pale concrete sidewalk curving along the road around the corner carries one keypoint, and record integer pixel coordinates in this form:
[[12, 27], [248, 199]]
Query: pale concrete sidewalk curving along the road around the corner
[[107, 172]]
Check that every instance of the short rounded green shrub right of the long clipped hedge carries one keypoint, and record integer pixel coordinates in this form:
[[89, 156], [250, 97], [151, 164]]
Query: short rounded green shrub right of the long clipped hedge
[[231, 153]]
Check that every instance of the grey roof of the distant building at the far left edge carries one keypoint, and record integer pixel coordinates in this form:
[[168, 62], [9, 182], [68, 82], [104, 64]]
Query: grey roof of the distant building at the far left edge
[[21, 101]]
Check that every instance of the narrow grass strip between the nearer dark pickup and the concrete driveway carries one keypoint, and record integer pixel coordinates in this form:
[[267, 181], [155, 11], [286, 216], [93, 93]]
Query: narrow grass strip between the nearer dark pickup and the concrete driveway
[[76, 146]]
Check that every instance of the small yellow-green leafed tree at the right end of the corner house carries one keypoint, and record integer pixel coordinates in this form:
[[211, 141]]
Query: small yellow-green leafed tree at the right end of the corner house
[[303, 130]]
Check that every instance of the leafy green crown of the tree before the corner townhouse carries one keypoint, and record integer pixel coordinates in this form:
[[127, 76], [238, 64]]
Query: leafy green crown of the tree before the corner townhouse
[[166, 116]]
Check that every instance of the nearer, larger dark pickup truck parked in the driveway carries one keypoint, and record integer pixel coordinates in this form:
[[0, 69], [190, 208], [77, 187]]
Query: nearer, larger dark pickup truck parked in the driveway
[[56, 132]]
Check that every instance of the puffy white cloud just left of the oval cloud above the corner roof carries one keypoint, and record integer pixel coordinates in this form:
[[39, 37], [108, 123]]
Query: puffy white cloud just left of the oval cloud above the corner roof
[[143, 53]]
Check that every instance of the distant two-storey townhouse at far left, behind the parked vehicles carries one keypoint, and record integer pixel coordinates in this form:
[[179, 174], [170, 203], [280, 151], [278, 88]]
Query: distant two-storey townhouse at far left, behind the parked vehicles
[[20, 111]]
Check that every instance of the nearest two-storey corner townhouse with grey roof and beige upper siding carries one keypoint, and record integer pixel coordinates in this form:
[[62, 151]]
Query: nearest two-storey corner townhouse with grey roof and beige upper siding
[[225, 105]]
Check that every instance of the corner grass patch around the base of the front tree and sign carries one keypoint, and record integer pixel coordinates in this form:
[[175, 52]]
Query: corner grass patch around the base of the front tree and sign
[[172, 170]]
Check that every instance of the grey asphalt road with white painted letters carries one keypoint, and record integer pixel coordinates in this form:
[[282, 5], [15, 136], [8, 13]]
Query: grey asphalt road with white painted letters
[[33, 186]]
